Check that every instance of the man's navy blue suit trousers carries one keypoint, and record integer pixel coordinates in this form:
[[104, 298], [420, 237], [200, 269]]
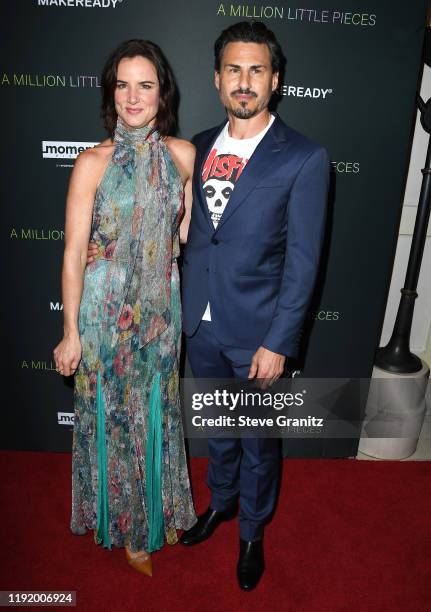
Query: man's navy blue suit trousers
[[244, 467]]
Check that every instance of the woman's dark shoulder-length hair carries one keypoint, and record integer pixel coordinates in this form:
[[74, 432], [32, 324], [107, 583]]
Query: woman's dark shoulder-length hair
[[166, 119]]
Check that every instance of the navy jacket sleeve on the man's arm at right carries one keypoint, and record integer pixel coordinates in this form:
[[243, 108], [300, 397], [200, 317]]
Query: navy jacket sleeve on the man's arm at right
[[306, 216]]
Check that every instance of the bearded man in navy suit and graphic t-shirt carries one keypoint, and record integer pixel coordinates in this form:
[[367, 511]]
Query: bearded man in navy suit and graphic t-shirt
[[252, 254]]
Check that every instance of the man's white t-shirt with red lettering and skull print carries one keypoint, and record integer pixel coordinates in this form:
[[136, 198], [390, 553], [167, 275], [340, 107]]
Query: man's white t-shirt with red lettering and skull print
[[222, 169]]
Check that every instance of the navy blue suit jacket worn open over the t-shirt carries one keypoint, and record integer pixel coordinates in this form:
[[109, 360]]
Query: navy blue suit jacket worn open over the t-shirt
[[258, 268]]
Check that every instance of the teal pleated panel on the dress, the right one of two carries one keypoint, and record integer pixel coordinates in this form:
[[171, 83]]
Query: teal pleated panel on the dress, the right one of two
[[154, 469]]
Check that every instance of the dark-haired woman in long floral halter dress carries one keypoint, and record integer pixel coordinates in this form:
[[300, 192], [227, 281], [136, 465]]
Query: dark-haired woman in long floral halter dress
[[131, 196]]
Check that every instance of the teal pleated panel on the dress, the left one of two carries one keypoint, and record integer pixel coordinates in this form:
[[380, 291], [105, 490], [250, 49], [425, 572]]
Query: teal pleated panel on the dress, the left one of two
[[102, 533]]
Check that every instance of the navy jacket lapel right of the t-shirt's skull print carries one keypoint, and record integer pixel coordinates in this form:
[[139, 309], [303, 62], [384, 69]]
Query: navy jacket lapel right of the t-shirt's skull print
[[264, 156]]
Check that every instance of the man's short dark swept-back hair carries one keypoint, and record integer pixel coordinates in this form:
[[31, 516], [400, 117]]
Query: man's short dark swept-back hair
[[249, 31]]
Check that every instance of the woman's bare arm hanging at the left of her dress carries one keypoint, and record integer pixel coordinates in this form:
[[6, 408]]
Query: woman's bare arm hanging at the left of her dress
[[79, 210]]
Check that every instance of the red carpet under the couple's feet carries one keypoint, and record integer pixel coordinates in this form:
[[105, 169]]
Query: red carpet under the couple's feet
[[347, 535]]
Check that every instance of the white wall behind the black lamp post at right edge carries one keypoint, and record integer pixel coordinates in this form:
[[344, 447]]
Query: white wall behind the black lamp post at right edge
[[421, 327]]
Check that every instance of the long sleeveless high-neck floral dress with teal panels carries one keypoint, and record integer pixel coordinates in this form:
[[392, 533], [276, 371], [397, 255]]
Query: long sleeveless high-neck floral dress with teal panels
[[129, 475]]
